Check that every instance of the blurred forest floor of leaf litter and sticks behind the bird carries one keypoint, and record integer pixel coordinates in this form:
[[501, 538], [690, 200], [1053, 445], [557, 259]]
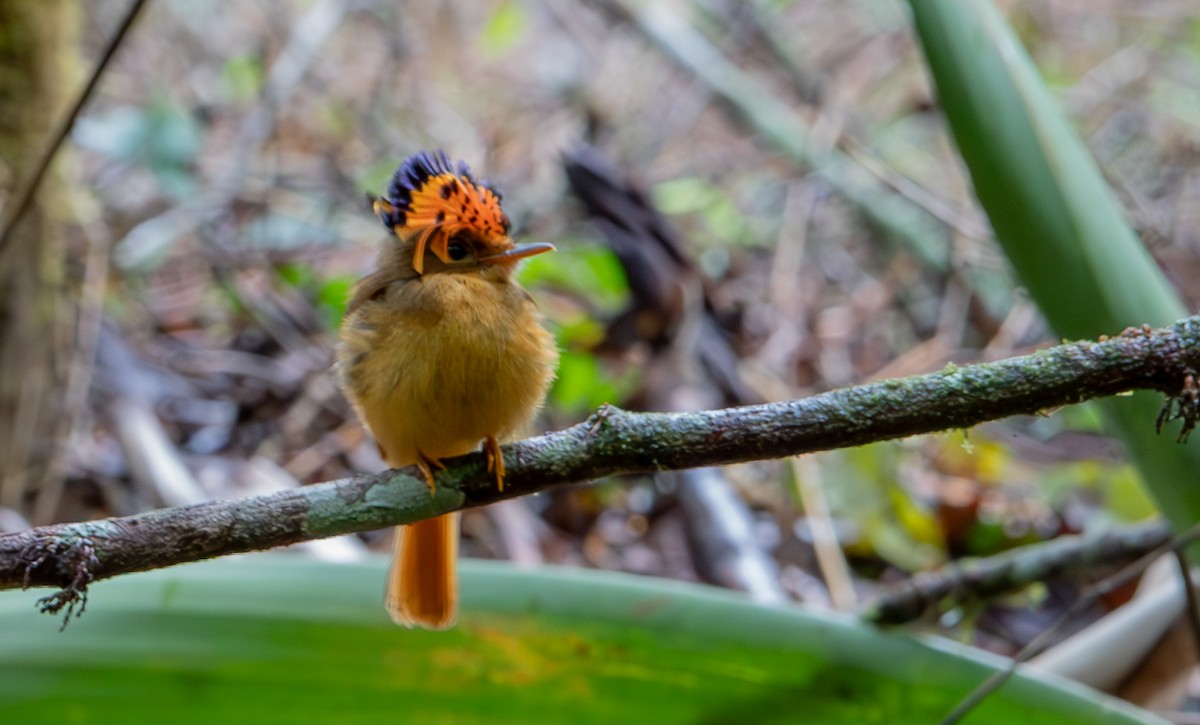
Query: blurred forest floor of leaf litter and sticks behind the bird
[[752, 202]]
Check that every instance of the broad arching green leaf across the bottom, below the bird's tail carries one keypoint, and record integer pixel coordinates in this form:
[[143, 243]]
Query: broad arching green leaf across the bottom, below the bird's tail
[[281, 639]]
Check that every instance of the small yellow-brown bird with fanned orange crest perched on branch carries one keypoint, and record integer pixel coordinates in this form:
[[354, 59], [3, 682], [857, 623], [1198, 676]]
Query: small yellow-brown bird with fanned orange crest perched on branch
[[441, 352]]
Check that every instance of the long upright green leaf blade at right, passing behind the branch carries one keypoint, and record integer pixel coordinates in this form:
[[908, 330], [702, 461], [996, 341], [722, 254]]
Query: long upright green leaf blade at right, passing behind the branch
[[1055, 217]]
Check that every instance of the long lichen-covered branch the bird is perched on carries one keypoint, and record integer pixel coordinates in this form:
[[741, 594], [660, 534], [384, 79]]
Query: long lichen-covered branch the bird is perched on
[[70, 556]]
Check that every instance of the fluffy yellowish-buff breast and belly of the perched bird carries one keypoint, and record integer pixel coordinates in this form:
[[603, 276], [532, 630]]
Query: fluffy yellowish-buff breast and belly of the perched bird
[[467, 361]]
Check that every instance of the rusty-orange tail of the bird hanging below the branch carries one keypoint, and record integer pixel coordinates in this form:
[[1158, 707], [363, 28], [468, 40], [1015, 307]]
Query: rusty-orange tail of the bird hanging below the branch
[[423, 584]]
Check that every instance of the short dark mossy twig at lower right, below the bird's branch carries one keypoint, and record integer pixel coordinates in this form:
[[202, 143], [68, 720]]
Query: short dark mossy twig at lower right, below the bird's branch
[[1013, 570]]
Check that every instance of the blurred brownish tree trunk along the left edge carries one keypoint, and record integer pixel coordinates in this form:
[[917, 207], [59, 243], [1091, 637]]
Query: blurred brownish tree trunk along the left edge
[[39, 69]]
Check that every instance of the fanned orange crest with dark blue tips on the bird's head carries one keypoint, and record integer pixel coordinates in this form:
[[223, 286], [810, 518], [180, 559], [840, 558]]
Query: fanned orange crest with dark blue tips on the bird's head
[[430, 197]]
